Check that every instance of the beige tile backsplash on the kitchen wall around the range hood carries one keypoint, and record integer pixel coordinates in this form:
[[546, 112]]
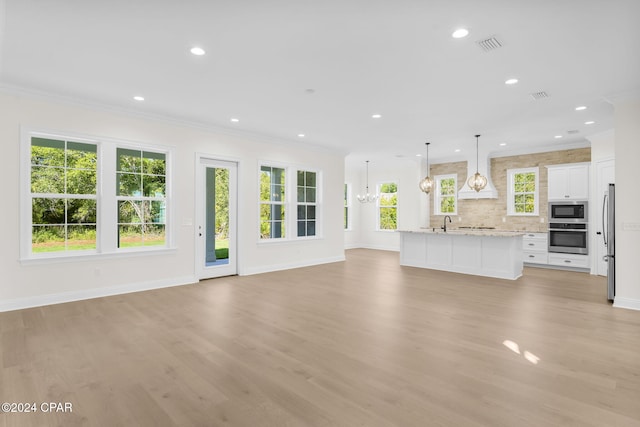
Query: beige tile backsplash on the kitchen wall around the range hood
[[491, 212]]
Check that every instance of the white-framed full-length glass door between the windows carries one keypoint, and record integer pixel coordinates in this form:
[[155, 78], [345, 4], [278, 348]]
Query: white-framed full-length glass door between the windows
[[216, 205]]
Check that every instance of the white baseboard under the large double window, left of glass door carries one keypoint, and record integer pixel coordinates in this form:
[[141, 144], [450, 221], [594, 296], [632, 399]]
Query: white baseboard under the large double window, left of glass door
[[62, 297]]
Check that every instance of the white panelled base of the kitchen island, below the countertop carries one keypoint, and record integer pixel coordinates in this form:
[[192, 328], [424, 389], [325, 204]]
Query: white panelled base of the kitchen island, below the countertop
[[487, 253]]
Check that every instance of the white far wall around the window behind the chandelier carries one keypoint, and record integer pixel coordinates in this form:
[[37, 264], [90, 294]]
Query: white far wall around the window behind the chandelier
[[407, 172]]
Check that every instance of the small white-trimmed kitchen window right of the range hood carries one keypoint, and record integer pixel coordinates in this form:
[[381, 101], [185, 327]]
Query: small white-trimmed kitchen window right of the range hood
[[522, 191]]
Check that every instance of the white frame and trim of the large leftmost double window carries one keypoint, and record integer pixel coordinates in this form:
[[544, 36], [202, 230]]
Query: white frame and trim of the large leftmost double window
[[106, 198]]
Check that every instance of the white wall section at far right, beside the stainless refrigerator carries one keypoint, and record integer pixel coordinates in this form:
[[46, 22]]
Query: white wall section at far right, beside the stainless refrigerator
[[627, 148]]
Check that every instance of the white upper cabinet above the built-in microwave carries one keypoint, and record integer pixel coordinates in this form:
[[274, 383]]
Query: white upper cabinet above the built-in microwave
[[568, 182]]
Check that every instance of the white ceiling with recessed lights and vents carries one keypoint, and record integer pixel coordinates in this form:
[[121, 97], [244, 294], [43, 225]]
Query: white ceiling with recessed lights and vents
[[323, 68]]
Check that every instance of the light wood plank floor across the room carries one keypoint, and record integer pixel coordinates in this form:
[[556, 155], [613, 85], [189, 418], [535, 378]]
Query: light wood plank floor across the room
[[360, 343]]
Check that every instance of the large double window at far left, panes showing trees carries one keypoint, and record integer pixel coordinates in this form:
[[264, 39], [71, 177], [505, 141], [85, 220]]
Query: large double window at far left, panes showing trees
[[67, 212]]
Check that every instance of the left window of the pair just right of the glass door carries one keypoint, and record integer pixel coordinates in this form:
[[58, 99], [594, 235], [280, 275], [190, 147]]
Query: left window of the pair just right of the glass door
[[272, 202]]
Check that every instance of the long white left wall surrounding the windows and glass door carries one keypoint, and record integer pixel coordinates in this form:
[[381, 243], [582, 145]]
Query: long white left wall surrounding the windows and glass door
[[31, 284]]
